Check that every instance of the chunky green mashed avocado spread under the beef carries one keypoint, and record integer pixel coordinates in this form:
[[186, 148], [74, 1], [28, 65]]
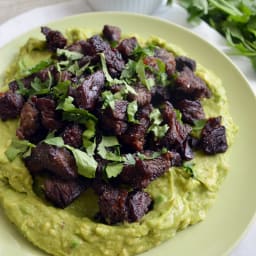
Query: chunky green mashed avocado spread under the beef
[[180, 200]]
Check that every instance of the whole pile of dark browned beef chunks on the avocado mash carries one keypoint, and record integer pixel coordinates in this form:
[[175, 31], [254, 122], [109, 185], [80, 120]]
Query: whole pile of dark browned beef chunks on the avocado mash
[[121, 198]]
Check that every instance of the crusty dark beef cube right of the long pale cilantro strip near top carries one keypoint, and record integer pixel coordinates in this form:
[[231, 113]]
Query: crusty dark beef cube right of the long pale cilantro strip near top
[[114, 61]]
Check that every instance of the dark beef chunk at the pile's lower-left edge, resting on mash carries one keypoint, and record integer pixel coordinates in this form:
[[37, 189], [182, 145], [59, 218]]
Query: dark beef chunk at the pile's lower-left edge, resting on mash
[[62, 193]]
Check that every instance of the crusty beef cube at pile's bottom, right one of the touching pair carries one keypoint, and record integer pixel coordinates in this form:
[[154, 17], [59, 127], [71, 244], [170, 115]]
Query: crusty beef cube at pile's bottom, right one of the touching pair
[[138, 204]]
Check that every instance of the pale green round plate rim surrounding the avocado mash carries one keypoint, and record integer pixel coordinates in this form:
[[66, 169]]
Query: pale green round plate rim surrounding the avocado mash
[[236, 205]]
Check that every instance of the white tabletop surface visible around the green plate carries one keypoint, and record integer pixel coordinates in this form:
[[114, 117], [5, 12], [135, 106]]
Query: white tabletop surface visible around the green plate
[[13, 21]]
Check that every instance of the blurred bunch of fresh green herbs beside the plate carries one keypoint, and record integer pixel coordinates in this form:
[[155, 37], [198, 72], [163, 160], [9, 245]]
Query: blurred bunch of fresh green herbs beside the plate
[[234, 19]]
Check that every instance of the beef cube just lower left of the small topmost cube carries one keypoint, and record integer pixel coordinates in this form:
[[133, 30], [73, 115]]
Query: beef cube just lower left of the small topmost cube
[[95, 45]]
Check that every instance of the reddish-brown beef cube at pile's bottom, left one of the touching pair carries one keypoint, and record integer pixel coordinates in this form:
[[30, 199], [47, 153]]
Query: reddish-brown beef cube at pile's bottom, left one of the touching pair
[[112, 205]]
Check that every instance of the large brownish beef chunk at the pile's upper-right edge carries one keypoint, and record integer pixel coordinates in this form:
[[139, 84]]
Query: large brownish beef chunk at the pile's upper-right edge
[[189, 86]]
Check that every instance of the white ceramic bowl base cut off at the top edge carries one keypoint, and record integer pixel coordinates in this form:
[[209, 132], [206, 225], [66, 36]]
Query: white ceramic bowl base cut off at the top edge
[[139, 6]]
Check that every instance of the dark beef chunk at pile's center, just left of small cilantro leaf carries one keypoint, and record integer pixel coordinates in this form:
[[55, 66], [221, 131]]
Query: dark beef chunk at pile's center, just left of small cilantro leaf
[[114, 121]]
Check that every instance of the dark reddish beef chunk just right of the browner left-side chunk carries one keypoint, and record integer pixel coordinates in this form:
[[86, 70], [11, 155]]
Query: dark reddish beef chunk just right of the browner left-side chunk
[[49, 116]]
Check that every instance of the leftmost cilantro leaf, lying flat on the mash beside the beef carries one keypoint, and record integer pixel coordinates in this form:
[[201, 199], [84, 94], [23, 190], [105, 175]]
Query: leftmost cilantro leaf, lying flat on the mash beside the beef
[[18, 147]]
